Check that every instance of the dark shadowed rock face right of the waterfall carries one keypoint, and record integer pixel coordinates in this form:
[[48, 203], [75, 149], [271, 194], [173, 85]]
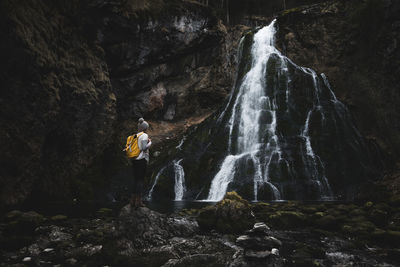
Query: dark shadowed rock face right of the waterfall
[[355, 44]]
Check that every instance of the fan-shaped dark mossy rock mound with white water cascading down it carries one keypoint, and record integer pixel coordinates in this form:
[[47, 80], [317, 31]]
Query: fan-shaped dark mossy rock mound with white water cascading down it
[[281, 135]]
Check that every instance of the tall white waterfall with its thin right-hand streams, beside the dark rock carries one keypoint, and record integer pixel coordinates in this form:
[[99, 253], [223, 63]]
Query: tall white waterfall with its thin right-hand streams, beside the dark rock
[[253, 123]]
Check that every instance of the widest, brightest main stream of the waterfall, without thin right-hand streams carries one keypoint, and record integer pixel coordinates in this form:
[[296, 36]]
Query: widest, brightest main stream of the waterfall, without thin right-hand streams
[[250, 104]]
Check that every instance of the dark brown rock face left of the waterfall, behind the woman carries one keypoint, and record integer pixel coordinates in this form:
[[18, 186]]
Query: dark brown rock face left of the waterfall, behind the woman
[[76, 76]]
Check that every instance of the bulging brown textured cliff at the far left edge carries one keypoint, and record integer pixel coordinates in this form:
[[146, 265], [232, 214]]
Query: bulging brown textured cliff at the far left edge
[[57, 103]]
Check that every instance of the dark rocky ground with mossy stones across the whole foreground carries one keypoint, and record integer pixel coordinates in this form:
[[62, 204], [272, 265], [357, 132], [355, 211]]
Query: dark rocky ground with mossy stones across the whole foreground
[[231, 233]]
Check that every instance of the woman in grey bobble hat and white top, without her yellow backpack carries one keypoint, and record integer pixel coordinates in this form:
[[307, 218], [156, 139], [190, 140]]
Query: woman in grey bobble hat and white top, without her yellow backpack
[[140, 163]]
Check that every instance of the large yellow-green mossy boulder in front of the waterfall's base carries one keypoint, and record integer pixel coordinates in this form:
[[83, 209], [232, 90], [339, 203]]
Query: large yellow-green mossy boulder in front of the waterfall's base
[[231, 215]]
